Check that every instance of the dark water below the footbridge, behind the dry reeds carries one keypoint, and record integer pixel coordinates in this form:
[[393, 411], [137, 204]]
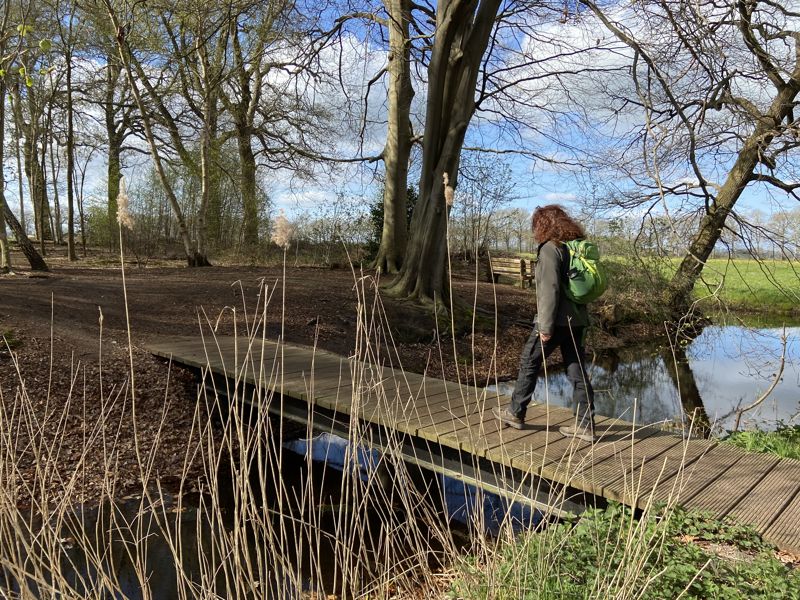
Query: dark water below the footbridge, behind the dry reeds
[[310, 515]]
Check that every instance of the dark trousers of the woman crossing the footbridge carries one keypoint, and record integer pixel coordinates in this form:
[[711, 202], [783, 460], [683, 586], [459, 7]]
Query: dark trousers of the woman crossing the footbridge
[[535, 352]]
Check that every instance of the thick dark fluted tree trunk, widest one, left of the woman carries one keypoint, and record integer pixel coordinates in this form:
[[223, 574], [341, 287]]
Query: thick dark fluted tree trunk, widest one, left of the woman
[[461, 38]]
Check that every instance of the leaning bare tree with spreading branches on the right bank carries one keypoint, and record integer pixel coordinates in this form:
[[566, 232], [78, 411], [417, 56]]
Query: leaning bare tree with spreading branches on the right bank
[[718, 85]]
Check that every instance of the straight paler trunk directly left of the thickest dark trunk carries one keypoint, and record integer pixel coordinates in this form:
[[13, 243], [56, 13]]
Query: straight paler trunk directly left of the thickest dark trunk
[[394, 237]]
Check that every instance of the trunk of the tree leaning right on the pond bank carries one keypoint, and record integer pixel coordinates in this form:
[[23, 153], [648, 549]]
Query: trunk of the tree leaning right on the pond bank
[[680, 289]]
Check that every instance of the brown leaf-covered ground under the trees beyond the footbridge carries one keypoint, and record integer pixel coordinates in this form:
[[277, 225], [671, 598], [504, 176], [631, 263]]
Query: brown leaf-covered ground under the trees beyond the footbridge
[[68, 366]]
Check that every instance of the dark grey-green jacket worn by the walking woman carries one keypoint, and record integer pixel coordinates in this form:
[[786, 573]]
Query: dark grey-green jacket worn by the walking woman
[[552, 307]]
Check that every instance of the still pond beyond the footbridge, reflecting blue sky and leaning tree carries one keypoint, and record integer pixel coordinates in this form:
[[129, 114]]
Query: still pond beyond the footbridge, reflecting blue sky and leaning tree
[[725, 368]]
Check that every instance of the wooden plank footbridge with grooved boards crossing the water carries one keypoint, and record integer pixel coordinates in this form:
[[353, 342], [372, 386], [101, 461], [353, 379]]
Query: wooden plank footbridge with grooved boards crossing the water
[[632, 464]]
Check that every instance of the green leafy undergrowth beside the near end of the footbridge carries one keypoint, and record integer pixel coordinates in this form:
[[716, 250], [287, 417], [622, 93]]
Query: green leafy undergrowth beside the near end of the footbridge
[[611, 554]]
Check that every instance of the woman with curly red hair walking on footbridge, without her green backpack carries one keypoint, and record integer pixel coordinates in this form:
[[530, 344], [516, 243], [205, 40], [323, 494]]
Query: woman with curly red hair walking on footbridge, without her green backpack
[[560, 323]]
